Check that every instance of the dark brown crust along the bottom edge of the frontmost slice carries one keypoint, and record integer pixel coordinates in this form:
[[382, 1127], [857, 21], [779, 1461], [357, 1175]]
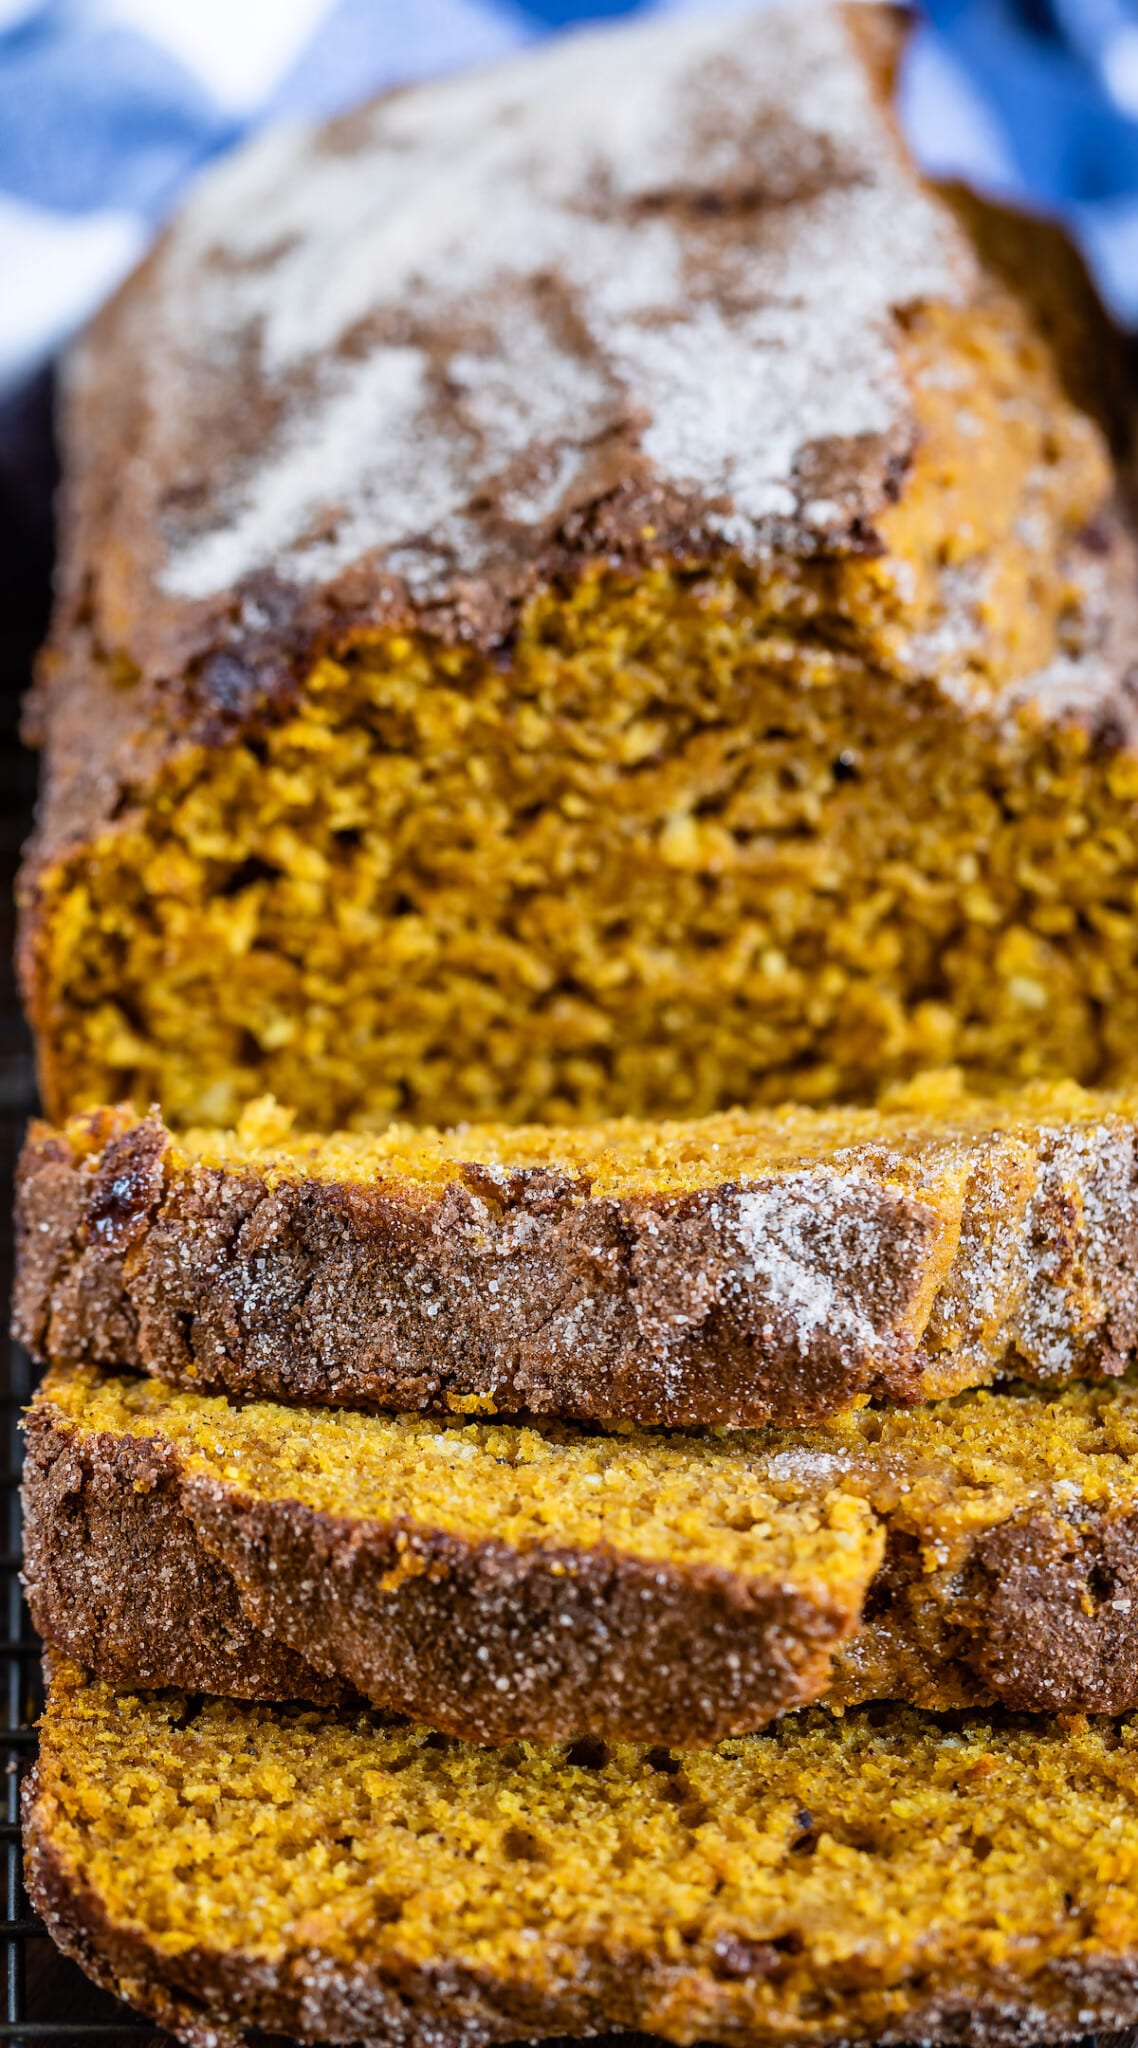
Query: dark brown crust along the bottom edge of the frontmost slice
[[214, 2002]]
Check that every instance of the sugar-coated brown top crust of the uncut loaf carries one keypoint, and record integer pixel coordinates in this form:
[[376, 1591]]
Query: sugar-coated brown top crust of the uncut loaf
[[631, 294]]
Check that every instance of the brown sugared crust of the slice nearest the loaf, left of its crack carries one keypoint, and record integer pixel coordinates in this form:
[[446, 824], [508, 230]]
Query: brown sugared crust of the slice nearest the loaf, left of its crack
[[337, 1293]]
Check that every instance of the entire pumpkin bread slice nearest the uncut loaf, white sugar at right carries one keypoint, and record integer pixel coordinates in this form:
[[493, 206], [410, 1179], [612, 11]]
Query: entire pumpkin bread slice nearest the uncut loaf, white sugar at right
[[748, 1269]]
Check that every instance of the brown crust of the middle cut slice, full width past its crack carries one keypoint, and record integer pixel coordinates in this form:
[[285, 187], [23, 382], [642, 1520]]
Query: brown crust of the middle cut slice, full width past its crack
[[155, 1576]]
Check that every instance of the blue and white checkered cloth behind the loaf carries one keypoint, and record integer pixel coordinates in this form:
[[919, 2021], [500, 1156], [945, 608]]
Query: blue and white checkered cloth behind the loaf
[[107, 108]]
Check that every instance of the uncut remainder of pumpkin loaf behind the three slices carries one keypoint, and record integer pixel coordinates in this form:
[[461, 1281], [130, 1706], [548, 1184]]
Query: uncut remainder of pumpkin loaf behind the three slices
[[588, 591]]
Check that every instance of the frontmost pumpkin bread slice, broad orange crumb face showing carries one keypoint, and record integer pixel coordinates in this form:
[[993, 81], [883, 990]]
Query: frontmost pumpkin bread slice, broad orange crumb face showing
[[877, 1877]]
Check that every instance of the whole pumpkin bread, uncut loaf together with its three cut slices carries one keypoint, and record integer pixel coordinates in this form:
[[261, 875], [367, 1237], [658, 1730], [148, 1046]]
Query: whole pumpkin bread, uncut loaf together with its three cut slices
[[590, 597]]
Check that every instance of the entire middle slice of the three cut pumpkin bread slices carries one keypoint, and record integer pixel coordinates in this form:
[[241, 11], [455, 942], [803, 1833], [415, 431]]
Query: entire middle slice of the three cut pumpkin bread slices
[[513, 1582]]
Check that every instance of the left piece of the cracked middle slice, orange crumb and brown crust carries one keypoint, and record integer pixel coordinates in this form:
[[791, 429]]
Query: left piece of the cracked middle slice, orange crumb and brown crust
[[486, 1578]]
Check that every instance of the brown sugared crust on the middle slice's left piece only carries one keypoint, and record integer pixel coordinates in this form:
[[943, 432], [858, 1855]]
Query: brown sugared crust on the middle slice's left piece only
[[157, 1578]]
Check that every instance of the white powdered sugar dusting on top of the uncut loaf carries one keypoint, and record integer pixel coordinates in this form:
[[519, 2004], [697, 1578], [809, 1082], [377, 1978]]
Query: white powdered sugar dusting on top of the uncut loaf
[[683, 239]]
